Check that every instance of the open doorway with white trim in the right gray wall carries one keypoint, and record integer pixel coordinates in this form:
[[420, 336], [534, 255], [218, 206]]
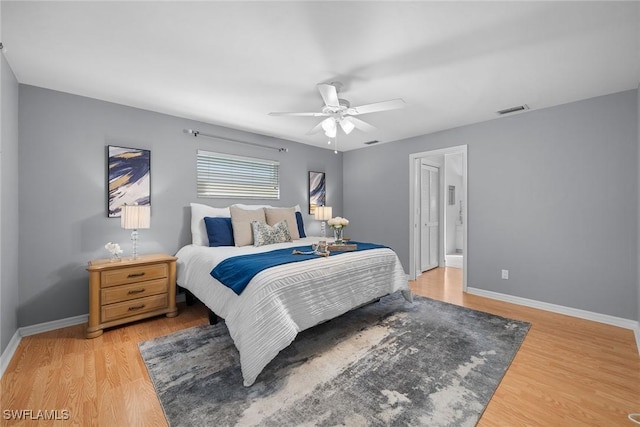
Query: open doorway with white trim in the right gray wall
[[424, 246]]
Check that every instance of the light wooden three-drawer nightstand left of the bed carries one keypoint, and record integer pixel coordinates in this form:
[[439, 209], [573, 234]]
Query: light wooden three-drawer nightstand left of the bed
[[128, 290]]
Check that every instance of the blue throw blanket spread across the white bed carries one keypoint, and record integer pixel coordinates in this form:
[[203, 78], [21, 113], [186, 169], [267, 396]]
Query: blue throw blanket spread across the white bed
[[236, 272]]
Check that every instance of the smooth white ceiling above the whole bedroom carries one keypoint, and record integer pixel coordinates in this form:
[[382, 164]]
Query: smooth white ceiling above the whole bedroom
[[231, 63]]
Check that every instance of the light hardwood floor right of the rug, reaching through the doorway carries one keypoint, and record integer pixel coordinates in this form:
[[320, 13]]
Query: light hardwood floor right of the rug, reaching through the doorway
[[568, 372]]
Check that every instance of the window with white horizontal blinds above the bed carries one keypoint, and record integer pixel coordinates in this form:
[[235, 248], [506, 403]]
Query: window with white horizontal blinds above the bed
[[229, 176]]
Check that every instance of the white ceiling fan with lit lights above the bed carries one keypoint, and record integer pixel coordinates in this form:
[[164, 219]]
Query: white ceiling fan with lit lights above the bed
[[339, 112]]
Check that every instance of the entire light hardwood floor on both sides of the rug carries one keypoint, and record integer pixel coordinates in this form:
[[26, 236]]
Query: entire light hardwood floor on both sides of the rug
[[568, 371]]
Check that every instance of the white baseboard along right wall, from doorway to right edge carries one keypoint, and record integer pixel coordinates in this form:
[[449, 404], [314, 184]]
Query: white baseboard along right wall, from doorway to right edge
[[560, 309]]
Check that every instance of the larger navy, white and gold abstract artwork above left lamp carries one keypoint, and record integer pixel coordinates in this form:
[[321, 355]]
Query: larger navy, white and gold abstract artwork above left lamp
[[129, 178]]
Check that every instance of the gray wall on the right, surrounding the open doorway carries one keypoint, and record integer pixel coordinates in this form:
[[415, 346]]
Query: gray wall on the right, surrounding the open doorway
[[553, 197]]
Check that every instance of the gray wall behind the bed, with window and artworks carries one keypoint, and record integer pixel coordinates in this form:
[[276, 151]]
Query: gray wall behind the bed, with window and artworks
[[63, 189]]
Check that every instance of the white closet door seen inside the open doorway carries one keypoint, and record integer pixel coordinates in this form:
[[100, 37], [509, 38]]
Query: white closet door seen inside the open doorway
[[429, 210]]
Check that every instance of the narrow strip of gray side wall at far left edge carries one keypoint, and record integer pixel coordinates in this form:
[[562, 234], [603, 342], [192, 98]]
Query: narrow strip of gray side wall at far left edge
[[8, 203]]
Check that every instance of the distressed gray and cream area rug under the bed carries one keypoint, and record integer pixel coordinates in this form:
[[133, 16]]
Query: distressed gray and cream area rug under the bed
[[425, 363]]
